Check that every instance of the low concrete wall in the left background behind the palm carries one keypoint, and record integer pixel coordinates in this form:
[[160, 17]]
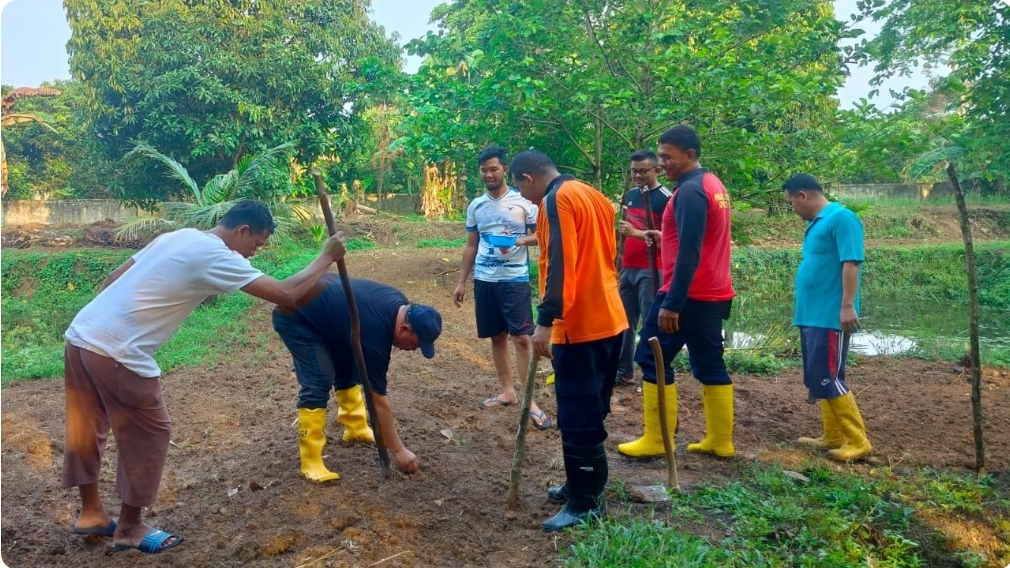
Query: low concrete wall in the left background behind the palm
[[87, 212]]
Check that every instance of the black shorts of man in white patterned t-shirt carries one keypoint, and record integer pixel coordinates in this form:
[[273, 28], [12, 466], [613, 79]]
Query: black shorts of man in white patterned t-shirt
[[503, 307]]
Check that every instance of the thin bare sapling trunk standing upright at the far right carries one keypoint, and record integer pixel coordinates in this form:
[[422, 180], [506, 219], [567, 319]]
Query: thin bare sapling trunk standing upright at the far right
[[973, 321]]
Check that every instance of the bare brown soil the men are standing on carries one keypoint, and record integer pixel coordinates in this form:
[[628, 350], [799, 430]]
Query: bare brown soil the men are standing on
[[234, 491]]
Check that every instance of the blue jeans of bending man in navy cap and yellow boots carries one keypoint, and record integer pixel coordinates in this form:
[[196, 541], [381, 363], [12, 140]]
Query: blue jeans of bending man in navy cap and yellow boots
[[316, 363]]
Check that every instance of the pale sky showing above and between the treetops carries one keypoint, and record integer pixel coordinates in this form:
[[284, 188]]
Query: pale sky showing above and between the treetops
[[34, 37]]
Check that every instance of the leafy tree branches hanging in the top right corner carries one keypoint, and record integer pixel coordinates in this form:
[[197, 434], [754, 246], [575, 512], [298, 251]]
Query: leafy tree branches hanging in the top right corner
[[973, 41]]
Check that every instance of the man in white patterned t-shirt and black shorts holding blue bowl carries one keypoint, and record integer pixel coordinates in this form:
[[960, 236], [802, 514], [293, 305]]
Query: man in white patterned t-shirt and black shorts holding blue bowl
[[502, 300]]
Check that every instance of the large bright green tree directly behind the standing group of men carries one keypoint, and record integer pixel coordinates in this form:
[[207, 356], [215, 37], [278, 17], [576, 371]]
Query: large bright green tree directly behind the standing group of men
[[589, 81]]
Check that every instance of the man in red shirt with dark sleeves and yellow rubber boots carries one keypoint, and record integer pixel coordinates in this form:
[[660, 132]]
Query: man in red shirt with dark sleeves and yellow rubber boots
[[695, 299]]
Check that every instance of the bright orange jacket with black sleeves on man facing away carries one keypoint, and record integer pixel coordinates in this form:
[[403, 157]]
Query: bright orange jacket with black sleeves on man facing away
[[579, 293]]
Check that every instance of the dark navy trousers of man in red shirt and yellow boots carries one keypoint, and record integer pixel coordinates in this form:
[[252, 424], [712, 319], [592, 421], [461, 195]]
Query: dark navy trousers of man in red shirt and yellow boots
[[700, 330]]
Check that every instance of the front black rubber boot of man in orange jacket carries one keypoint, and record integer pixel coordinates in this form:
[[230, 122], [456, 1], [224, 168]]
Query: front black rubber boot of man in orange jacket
[[586, 467]]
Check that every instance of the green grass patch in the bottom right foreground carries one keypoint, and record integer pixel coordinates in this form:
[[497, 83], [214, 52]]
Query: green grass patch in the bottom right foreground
[[837, 520]]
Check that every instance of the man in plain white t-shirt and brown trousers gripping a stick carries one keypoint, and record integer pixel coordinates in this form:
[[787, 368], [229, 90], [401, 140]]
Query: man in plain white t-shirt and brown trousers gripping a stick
[[113, 380]]
